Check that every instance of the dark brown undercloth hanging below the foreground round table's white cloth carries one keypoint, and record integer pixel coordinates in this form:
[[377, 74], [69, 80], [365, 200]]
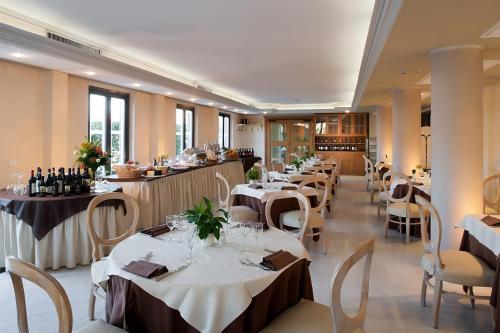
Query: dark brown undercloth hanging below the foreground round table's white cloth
[[127, 303]]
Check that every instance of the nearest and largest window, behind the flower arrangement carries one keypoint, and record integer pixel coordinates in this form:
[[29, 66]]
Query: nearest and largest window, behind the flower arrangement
[[108, 122]]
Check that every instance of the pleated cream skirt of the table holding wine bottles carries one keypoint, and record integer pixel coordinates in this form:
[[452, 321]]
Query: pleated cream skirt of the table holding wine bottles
[[66, 245]]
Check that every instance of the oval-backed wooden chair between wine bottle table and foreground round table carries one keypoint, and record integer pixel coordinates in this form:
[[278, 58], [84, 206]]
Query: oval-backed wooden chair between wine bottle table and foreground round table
[[98, 242]]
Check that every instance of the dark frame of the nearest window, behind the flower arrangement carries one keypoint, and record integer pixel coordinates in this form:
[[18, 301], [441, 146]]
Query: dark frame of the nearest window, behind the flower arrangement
[[108, 94]]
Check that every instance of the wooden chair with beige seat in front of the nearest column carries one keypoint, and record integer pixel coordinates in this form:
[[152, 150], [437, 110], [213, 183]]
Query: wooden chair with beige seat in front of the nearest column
[[456, 267]]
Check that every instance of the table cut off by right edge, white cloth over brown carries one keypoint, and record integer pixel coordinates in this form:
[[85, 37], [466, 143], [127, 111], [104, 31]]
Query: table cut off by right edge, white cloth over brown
[[483, 241]]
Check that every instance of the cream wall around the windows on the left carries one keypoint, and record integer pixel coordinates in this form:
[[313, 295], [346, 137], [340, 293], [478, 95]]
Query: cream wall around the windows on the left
[[46, 116]]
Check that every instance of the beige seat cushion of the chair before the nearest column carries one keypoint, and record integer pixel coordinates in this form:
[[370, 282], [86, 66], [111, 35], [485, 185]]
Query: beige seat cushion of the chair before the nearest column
[[460, 267]]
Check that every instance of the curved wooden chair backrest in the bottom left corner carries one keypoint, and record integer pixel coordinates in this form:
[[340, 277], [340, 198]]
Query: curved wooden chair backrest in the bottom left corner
[[20, 269]]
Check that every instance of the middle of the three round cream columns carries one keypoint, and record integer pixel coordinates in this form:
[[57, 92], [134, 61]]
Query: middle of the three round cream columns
[[406, 115]]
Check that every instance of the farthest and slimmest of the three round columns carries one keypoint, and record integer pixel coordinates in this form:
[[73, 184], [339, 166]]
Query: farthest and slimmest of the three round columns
[[384, 134]]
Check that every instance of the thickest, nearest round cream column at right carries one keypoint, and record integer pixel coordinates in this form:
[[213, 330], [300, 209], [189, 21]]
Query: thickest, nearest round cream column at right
[[457, 130]]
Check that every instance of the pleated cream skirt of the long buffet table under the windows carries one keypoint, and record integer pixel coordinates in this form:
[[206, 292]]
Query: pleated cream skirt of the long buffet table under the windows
[[174, 194]]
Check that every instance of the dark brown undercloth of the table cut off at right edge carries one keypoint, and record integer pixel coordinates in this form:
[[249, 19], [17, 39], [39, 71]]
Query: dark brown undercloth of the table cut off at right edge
[[470, 244]]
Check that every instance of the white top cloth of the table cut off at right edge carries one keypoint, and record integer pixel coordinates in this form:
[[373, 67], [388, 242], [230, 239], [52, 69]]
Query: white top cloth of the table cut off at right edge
[[486, 235]]
